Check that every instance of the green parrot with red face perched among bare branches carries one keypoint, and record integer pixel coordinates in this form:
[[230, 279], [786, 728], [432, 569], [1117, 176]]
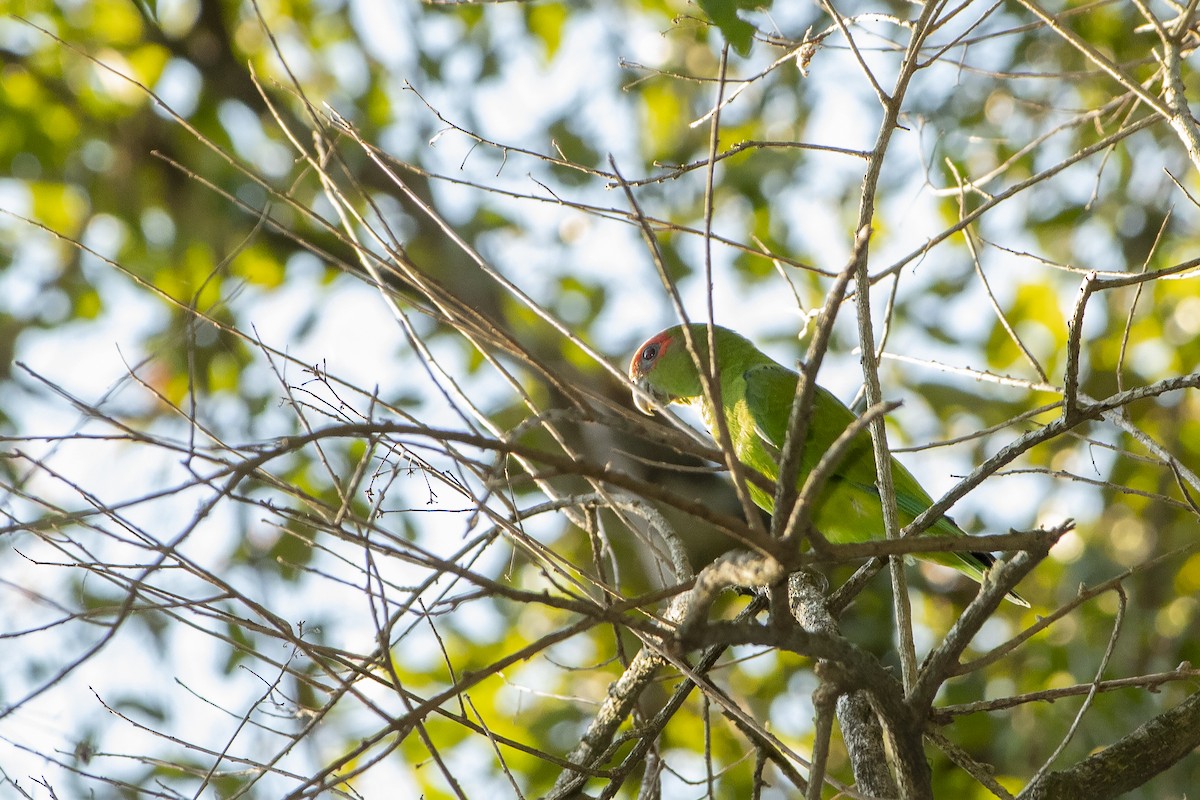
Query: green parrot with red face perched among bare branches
[[757, 400]]
